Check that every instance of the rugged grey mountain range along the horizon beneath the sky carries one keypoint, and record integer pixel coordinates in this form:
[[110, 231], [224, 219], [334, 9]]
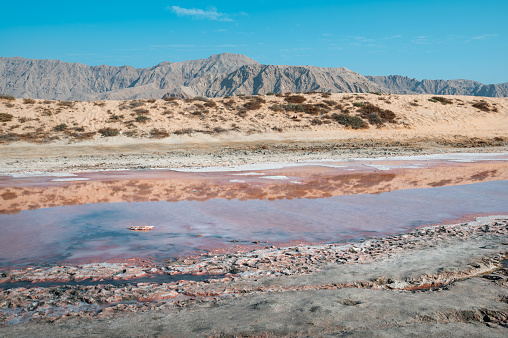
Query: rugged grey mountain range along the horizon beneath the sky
[[219, 75]]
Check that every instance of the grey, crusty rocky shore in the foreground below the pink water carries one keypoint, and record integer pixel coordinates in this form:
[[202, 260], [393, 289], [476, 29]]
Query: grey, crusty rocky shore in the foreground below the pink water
[[448, 278]]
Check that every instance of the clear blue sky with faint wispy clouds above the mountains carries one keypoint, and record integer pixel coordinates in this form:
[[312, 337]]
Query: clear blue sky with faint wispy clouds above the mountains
[[421, 39]]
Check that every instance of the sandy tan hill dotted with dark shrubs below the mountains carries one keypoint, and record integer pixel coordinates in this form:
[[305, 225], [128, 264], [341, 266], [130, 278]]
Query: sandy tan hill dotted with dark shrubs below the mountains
[[312, 115]]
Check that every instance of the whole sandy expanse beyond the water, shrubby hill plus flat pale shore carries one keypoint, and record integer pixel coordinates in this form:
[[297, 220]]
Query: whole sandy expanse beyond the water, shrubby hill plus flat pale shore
[[226, 131]]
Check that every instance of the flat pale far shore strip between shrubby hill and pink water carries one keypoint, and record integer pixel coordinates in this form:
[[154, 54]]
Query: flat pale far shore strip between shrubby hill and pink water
[[32, 161]]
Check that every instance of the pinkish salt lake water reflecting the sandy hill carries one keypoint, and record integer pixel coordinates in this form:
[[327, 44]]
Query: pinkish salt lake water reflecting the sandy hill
[[311, 204]]
